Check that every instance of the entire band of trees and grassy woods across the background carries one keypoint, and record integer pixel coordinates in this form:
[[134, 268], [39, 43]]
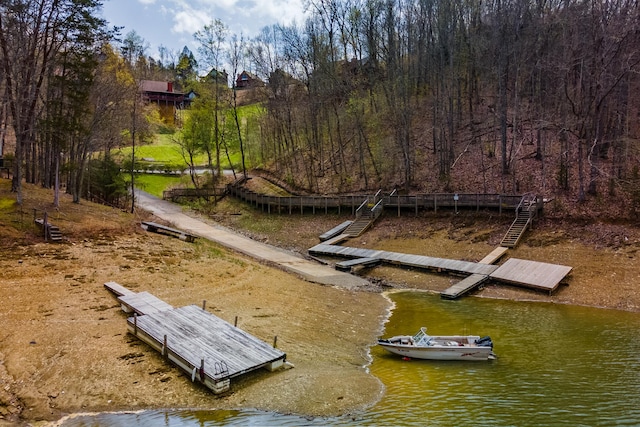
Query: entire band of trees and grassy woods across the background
[[492, 96]]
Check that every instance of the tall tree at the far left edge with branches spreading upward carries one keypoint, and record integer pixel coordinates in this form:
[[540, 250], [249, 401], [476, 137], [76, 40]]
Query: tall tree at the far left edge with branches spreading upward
[[32, 33]]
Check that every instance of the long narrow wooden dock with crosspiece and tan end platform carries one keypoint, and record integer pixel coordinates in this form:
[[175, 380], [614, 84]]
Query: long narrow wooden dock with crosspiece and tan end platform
[[518, 272]]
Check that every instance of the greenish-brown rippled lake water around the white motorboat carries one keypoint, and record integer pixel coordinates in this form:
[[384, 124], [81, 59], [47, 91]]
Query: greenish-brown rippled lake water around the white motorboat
[[557, 365]]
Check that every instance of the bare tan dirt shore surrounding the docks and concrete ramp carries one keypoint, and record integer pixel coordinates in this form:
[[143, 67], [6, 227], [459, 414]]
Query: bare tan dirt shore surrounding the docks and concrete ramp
[[64, 346]]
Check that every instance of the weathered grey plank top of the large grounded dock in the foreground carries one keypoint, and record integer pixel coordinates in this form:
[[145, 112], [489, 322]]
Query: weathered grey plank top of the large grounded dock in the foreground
[[194, 335]]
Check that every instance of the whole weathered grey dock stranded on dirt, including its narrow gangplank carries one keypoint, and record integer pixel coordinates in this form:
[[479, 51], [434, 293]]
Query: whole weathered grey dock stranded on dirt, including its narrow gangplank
[[208, 349]]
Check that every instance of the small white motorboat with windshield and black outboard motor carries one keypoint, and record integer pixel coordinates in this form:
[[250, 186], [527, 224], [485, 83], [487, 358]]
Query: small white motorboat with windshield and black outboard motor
[[432, 347]]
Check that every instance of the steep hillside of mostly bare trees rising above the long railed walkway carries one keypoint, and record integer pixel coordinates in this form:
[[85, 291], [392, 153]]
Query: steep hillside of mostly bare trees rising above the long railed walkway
[[496, 96]]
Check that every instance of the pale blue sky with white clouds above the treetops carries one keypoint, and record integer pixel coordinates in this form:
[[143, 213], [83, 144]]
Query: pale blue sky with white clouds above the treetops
[[171, 23]]
